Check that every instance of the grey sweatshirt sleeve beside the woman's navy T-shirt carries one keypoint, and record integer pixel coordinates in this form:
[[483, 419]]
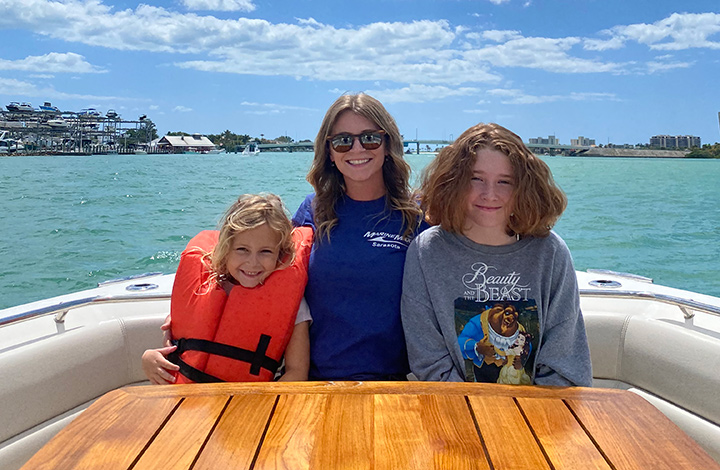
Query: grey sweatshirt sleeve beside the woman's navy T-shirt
[[428, 353]]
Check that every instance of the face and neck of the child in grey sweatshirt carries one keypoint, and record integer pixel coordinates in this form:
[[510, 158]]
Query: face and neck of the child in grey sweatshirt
[[489, 199]]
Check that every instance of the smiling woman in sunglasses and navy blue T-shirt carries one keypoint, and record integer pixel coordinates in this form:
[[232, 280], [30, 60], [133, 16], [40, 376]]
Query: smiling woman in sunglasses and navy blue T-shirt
[[364, 219]]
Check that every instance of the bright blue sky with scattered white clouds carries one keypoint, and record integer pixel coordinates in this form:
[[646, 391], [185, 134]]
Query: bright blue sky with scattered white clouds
[[614, 71]]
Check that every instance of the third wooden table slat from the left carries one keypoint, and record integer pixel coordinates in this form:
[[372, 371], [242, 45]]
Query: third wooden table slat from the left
[[236, 439]]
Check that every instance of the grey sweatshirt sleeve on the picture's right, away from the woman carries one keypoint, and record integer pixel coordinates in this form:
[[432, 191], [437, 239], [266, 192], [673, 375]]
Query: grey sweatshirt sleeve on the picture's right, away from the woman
[[564, 356]]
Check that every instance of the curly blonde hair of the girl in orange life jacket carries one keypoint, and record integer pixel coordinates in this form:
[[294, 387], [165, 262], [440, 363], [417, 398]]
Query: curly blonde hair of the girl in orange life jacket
[[248, 212]]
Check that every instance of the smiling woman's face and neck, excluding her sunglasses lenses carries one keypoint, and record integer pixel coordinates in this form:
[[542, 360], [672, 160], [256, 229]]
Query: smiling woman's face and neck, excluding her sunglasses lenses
[[361, 168]]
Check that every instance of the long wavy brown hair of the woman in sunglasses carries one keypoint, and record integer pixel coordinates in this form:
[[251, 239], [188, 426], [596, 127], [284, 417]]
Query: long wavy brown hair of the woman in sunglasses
[[328, 182]]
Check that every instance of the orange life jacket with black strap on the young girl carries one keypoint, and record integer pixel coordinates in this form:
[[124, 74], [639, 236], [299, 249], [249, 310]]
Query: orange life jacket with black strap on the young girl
[[237, 338]]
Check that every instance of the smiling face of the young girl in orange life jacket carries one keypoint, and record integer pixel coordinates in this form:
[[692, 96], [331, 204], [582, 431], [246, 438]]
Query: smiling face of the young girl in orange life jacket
[[253, 255]]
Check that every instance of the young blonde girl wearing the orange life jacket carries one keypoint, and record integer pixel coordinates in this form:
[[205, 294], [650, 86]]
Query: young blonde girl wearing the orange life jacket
[[237, 302]]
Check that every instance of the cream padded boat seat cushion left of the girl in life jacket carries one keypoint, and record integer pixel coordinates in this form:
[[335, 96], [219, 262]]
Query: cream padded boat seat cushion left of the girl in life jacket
[[45, 379]]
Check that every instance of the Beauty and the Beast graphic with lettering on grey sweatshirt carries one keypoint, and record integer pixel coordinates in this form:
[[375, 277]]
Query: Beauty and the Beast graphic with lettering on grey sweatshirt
[[497, 327]]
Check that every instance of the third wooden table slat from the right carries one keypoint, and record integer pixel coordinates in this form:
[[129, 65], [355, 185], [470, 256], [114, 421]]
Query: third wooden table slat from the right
[[510, 443]]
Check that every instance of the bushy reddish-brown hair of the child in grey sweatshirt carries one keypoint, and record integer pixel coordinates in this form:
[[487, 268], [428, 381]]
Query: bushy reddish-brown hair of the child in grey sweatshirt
[[537, 202]]
